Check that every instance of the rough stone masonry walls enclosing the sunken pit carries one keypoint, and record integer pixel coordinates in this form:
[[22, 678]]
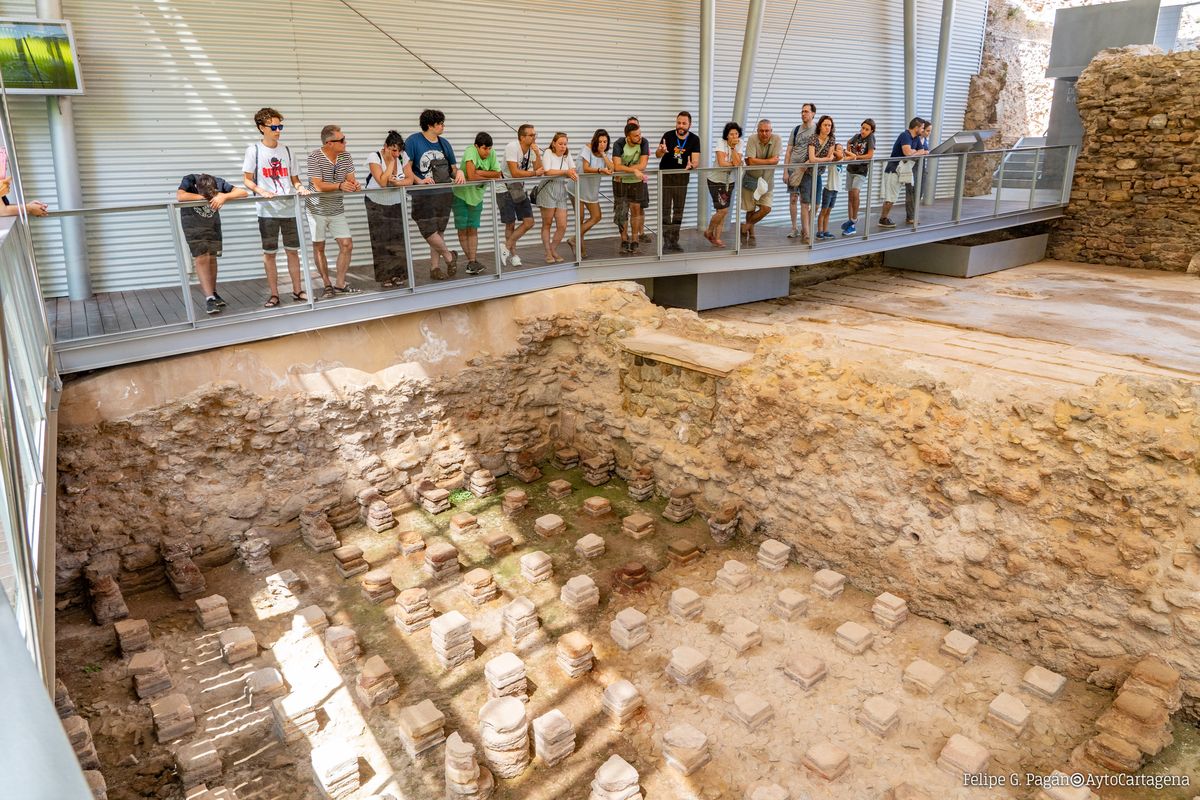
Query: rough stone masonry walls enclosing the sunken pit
[[1064, 530]]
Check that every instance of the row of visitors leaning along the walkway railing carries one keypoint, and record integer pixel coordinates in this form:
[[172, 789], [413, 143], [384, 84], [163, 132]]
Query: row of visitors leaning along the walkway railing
[[526, 177]]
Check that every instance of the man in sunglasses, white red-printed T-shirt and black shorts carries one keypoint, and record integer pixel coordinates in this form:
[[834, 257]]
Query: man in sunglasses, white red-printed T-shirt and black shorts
[[269, 172]]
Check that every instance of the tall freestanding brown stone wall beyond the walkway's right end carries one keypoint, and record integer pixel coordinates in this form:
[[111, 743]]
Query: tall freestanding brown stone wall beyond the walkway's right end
[[1135, 197]]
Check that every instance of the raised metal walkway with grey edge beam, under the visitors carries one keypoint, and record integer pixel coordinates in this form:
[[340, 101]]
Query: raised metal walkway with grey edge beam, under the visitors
[[135, 326]]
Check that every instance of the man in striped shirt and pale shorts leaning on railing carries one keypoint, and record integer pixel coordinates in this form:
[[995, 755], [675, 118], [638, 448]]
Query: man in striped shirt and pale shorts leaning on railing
[[331, 173]]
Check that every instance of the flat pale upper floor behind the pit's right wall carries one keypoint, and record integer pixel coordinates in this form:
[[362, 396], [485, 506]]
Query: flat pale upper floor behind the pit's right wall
[[1048, 324]]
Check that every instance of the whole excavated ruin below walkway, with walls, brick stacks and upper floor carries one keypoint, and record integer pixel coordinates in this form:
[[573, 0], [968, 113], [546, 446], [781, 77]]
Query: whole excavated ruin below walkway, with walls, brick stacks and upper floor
[[898, 544]]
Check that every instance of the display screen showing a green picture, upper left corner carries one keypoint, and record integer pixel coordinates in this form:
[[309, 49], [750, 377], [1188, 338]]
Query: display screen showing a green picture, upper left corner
[[38, 57]]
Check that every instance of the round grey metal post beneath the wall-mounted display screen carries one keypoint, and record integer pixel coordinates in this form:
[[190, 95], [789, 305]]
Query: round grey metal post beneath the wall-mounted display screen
[[67, 179]]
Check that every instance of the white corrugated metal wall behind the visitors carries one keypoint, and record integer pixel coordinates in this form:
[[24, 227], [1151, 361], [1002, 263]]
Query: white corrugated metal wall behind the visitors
[[173, 85]]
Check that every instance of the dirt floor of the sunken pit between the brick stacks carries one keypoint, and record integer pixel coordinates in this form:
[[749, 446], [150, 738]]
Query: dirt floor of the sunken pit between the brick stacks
[[260, 768]]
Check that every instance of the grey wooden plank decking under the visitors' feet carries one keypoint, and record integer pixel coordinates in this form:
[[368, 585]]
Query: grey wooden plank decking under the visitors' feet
[[139, 310]]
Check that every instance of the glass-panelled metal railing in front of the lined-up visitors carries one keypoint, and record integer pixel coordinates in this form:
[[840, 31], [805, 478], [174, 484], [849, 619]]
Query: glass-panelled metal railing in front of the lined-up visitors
[[141, 234]]
